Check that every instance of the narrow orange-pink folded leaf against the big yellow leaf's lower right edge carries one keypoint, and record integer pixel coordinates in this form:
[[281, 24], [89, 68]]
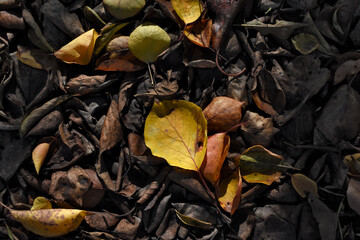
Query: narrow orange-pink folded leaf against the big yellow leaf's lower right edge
[[217, 149]]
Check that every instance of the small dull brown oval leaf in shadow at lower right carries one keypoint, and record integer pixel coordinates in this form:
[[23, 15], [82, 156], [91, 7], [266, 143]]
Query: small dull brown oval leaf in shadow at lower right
[[304, 185]]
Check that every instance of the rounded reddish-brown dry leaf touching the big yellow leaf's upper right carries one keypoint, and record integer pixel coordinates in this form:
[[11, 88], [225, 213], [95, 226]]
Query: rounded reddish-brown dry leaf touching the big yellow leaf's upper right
[[223, 113]]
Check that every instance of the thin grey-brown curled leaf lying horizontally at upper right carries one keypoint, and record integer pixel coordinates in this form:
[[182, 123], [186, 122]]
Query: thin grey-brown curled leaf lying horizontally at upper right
[[281, 29]]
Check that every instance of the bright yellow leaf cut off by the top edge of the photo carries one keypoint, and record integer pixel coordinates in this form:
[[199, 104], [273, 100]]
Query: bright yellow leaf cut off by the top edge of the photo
[[188, 10]]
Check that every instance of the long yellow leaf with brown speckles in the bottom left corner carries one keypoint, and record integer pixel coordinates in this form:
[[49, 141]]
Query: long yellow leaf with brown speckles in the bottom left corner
[[50, 222]]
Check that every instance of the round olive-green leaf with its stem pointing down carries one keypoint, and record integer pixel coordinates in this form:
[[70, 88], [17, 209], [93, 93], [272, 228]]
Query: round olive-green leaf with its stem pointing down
[[146, 35]]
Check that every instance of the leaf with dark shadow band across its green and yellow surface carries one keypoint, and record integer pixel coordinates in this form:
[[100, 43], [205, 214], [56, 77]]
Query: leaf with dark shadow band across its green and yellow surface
[[259, 165]]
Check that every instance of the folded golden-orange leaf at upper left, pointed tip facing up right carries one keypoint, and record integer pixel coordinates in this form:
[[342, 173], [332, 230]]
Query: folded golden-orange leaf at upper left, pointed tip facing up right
[[79, 50]]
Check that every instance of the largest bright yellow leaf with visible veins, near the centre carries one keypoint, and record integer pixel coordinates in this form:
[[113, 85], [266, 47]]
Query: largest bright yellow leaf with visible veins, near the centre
[[177, 131]]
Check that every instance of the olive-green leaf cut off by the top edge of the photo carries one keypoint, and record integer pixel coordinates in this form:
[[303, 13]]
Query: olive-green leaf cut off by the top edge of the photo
[[124, 8]]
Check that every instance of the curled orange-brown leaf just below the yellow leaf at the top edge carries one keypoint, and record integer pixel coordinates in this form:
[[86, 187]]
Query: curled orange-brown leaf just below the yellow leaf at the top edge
[[199, 32]]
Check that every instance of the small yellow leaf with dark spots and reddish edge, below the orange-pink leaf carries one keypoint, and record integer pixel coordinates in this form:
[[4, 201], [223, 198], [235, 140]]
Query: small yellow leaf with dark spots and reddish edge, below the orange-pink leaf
[[229, 192]]
